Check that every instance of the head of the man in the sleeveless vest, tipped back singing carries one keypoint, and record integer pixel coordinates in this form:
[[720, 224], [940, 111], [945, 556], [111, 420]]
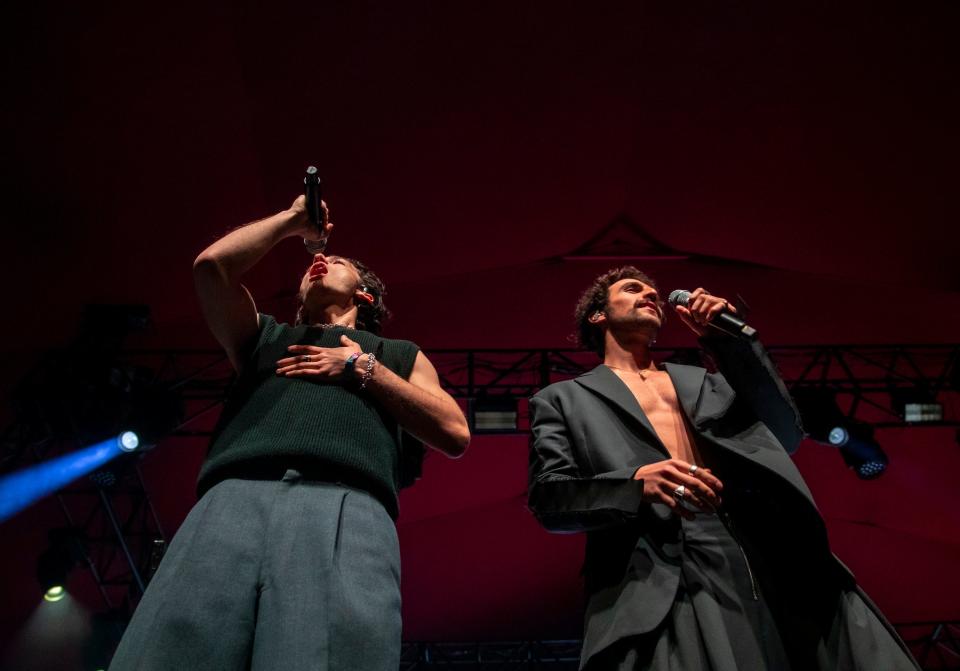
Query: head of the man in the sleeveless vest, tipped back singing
[[342, 283]]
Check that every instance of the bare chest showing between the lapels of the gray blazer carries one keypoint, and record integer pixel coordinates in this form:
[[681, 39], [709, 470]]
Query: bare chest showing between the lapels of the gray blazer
[[658, 399]]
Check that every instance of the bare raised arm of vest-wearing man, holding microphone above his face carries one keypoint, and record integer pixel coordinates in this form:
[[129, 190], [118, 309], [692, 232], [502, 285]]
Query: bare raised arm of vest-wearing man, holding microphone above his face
[[227, 305]]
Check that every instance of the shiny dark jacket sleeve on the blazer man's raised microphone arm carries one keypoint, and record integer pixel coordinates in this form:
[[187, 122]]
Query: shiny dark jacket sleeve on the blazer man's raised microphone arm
[[747, 368]]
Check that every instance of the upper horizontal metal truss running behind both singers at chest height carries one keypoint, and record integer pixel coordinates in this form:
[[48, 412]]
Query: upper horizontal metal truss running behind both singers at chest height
[[864, 376]]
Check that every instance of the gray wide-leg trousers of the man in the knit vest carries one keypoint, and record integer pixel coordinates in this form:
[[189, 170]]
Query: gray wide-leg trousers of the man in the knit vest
[[288, 574]]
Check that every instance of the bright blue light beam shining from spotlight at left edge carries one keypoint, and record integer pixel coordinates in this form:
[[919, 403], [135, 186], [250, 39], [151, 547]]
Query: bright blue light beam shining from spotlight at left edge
[[21, 489]]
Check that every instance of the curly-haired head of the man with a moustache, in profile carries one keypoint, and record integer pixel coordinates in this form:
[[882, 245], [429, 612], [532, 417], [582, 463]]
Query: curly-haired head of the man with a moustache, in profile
[[624, 299]]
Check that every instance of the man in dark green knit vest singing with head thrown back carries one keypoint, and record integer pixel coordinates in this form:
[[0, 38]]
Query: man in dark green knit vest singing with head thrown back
[[290, 559]]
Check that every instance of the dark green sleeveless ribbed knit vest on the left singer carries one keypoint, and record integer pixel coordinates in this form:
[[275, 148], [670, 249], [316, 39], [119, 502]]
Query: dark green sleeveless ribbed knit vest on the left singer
[[332, 430]]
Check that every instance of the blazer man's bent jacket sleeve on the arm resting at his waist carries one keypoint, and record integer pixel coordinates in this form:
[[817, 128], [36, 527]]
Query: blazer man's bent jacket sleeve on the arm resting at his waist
[[561, 498]]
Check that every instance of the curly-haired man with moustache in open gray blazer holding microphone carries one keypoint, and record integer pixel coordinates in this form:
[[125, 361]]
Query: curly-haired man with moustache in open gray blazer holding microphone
[[705, 549]]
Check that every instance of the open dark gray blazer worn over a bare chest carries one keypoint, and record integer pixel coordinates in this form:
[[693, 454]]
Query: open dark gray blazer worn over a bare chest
[[589, 438]]
